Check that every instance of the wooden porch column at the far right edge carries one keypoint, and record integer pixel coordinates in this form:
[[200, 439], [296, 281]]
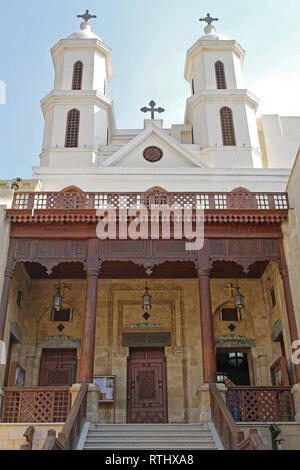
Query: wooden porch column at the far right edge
[[289, 305]]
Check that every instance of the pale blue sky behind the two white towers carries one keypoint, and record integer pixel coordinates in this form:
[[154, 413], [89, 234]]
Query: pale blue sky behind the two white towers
[[149, 39]]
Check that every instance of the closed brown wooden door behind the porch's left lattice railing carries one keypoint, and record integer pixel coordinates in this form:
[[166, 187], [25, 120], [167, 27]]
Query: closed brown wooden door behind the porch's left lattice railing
[[58, 367]]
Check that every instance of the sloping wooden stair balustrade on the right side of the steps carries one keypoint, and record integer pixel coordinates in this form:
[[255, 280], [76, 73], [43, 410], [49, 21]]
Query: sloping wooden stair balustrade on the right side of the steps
[[231, 436]]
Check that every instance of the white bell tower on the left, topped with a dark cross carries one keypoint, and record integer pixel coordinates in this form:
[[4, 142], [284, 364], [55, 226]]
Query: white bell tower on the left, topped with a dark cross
[[78, 114]]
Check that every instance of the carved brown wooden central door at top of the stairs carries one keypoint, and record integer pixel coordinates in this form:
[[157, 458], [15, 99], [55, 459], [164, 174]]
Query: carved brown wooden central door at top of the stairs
[[147, 386]]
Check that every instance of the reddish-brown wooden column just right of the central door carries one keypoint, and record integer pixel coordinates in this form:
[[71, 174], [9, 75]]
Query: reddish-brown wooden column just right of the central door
[[207, 326]]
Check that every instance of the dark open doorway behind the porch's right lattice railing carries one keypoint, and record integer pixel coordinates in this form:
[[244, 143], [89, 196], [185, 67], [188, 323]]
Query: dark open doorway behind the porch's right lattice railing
[[233, 364]]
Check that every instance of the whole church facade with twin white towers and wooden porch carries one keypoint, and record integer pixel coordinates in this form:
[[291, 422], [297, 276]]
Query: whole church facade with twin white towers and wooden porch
[[102, 280]]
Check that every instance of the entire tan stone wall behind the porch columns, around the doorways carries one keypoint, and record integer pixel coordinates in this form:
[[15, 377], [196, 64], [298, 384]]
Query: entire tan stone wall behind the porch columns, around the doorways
[[175, 309]]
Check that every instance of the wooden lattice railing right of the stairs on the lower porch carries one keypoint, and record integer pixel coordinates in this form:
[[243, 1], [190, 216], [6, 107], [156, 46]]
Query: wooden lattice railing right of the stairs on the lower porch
[[261, 404]]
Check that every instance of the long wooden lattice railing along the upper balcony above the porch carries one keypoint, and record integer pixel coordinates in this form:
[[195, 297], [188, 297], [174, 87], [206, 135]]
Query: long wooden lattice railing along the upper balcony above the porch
[[236, 200]]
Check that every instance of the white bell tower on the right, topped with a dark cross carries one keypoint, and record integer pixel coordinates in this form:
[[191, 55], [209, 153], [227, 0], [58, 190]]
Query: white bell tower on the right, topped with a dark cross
[[221, 111]]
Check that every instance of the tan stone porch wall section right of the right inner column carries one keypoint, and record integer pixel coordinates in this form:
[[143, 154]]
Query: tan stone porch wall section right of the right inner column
[[254, 330]]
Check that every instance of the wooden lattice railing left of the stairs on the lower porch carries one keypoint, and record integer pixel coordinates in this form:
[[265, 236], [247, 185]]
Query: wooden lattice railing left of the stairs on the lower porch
[[35, 405]]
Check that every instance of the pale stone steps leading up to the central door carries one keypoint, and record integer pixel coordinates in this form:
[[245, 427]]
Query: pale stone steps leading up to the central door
[[151, 436]]
